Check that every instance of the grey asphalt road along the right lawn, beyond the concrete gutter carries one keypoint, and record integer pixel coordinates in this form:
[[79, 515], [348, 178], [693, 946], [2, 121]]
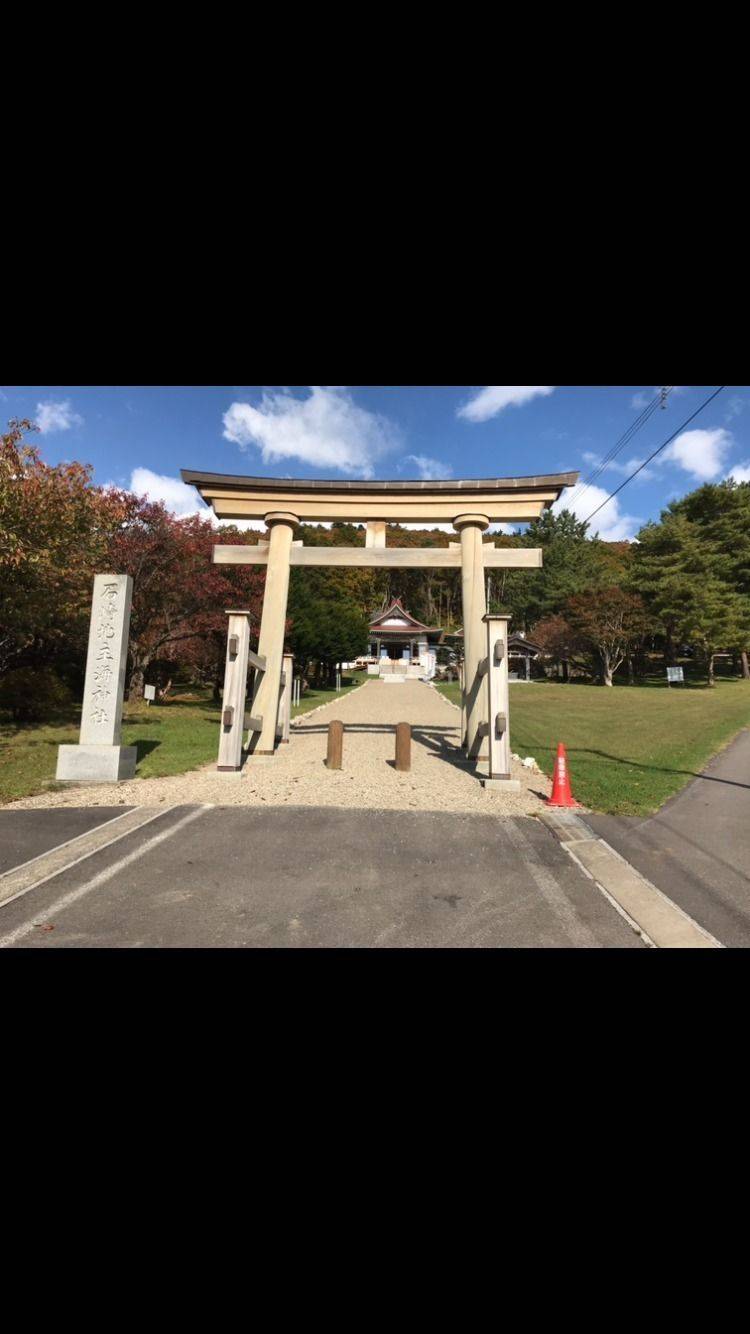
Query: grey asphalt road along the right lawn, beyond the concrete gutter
[[697, 848]]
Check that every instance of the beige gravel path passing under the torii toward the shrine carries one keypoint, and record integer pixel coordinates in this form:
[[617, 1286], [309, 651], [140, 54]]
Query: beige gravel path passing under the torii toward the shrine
[[297, 776]]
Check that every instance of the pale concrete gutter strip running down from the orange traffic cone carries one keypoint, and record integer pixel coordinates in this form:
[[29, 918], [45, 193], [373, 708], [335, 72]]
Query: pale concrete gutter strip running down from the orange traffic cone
[[659, 921]]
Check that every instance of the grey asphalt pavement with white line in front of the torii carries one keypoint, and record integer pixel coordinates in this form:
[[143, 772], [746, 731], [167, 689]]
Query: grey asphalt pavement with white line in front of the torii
[[233, 877]]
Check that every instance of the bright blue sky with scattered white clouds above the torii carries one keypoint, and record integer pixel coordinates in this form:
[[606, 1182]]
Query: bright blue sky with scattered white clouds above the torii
[[141, 437]]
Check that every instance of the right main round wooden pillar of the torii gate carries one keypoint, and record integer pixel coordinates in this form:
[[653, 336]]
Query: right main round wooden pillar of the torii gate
[[472, 526]]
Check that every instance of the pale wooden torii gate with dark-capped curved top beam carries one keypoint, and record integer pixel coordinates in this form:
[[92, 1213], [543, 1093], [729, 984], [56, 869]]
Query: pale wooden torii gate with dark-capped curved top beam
[[284, 504]]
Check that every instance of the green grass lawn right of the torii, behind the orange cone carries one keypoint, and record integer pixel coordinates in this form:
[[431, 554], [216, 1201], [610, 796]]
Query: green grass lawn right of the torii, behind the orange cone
[[629, 748]]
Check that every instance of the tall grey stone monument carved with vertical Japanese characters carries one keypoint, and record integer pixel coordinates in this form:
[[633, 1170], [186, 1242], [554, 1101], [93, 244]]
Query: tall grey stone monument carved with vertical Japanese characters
[[99, 758]]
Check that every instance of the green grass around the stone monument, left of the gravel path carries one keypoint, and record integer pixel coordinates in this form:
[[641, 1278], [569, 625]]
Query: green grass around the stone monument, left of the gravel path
[[171, 738]]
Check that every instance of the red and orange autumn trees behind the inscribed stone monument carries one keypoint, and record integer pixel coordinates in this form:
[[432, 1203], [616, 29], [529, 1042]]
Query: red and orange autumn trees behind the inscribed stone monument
[[58, 530]]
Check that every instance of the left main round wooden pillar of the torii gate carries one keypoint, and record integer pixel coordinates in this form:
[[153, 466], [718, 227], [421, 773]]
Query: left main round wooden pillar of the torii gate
[[272, 642]]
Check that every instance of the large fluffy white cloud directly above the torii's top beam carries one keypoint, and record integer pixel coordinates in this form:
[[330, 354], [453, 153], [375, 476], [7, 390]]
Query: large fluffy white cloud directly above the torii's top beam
[[326, 430]]
